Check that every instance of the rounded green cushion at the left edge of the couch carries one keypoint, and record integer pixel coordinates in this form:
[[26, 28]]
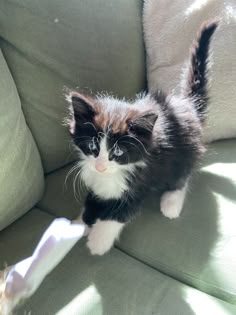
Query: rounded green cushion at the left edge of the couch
[[21, 173]]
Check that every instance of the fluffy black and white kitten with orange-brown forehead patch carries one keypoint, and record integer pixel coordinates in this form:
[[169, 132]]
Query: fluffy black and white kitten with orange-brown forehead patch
[[127, 147]]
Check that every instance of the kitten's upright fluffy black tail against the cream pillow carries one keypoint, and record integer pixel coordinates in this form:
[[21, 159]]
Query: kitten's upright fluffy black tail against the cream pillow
[[195, 78]]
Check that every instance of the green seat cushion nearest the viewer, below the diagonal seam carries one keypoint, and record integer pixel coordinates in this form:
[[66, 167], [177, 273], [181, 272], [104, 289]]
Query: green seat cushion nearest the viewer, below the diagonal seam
[[113, 284]]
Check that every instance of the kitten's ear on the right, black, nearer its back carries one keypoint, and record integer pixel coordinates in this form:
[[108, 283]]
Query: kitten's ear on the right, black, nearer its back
[[143, 125]]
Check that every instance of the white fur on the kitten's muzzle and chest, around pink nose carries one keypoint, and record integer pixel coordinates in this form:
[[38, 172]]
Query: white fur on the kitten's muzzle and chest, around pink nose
[[111, 183]]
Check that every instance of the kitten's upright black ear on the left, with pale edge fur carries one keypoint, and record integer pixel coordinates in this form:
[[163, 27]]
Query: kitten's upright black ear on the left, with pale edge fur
[[81, 110]]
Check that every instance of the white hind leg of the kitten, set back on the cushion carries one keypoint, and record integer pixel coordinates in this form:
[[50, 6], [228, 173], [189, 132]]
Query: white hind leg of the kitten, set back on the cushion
[[172, 202]]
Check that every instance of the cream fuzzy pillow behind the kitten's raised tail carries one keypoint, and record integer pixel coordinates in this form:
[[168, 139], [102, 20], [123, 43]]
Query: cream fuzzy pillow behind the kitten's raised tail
[[169, 29]]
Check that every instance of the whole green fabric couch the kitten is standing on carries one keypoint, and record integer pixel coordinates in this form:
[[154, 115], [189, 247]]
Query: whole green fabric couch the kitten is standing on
[[185, 266]]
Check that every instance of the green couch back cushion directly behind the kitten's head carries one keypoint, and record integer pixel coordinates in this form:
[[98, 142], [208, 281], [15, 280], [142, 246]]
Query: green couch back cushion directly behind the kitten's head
[[52, 44]]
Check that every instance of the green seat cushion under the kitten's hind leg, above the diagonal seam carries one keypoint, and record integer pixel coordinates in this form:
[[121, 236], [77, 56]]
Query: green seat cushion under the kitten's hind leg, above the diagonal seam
[[199, 247]]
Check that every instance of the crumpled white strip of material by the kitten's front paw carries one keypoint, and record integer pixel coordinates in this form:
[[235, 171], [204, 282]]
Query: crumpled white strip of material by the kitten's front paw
[[26, 276]]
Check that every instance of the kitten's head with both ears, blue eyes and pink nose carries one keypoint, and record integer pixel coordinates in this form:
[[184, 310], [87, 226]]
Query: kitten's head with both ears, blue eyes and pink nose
[[111, 135]]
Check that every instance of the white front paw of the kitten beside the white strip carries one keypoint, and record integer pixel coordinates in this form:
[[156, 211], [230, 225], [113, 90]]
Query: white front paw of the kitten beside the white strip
[[103, 235]]
